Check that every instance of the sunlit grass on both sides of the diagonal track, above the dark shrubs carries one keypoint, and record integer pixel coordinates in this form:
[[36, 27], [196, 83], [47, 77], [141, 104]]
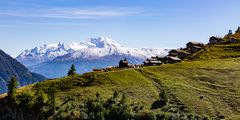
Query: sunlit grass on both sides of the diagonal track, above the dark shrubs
[[207, 87]]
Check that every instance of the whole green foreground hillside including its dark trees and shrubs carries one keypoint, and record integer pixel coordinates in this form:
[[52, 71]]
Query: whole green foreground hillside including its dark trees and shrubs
[[204, 85]]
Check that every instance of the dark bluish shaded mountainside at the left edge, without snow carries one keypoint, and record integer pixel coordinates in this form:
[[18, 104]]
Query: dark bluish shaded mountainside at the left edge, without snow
[[10, 67]]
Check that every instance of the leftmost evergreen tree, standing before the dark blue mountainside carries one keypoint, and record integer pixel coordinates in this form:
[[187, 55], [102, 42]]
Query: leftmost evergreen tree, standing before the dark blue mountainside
[[12, 87]]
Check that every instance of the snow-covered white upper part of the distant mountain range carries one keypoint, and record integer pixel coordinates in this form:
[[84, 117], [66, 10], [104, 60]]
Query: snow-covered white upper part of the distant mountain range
[[90, 49]]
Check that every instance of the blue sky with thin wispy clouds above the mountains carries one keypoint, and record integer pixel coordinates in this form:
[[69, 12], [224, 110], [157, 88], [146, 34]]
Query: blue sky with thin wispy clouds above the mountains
[[134, 23]]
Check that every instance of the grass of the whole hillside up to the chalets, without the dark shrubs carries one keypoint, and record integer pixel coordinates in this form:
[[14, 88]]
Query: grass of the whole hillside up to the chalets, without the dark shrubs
[[206, 84]]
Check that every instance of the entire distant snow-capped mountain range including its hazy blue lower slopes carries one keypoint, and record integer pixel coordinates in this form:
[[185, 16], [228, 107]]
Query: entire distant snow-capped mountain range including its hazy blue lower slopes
[[93, 49]]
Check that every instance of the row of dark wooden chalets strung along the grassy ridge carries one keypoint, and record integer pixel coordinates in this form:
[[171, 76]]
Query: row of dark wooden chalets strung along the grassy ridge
[[175, 55]]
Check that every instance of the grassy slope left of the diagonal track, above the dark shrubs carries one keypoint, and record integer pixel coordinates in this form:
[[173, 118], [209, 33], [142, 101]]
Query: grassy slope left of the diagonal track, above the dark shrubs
[[131, 82]]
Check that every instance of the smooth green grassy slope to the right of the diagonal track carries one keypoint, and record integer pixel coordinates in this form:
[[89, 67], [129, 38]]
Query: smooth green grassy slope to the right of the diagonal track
[[217, 81]]
